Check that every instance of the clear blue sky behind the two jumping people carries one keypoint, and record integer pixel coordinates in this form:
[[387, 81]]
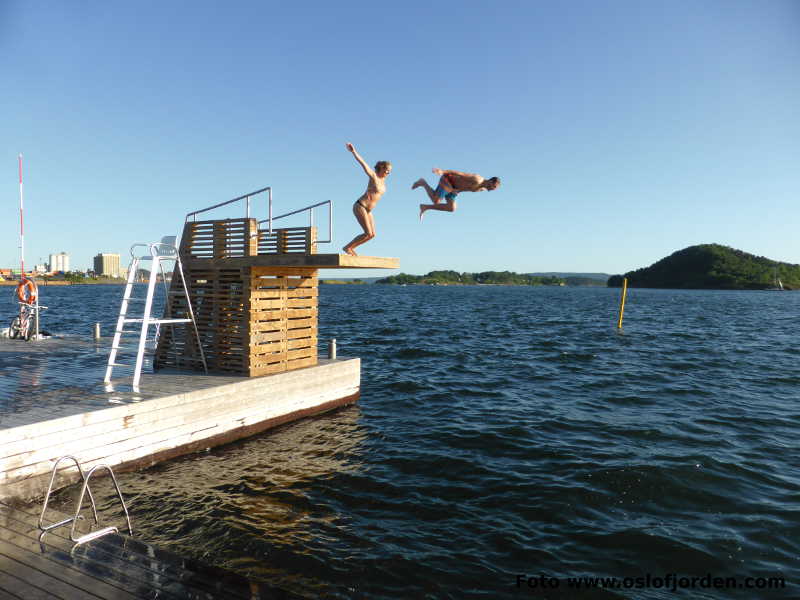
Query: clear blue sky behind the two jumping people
[[622, 131]]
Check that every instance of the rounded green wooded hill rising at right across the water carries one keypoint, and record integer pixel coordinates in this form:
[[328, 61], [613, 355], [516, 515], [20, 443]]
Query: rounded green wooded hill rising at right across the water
[[712, 266]]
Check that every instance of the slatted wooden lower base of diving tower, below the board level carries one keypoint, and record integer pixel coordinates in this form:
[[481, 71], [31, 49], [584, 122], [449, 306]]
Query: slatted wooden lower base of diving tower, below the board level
[[251, 320]]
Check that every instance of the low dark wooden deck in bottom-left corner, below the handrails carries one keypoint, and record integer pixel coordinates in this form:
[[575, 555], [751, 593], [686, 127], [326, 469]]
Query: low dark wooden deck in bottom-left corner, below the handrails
[[115, 567]]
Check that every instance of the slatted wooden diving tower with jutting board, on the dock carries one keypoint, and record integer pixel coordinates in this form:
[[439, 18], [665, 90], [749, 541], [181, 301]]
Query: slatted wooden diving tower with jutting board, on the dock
[[254, 295]]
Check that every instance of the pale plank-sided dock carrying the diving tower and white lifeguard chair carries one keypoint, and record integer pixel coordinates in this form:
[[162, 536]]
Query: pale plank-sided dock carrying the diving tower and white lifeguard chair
[[57, 405]]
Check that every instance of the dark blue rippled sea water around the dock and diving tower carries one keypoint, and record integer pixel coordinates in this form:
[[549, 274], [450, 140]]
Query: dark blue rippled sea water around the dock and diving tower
[[505, 432]]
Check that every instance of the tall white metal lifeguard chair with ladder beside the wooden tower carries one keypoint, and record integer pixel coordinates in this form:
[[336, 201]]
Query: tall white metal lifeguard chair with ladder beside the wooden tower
[[158, 253]]
